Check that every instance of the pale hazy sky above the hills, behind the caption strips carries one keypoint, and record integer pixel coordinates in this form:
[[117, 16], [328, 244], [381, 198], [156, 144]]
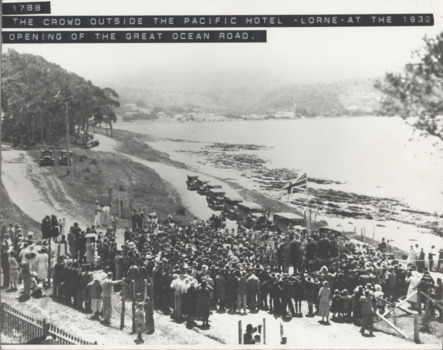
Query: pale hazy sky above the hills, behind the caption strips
[[301, 54]]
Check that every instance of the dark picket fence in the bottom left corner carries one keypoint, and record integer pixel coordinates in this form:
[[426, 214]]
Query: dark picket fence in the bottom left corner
[[14, 321]]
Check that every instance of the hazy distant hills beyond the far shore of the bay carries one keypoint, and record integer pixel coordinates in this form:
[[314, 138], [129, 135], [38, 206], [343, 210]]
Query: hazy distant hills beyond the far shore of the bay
[[236, 94]]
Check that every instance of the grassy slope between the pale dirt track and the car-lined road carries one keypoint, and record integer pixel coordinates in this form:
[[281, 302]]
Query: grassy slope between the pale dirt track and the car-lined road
[[97, 172]]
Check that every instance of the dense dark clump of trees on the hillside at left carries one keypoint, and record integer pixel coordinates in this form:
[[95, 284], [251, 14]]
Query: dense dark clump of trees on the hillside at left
[[37, 95]]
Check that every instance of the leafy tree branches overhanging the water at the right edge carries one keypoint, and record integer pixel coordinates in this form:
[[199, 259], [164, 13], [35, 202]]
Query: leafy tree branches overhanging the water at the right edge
[[416, 93]]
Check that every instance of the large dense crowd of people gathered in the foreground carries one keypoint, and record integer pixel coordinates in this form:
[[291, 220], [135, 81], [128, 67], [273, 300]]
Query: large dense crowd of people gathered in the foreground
[[198, 267]]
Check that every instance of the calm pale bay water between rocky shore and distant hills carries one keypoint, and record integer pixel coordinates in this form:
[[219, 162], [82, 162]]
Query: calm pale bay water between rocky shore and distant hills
[[373, 156]]
